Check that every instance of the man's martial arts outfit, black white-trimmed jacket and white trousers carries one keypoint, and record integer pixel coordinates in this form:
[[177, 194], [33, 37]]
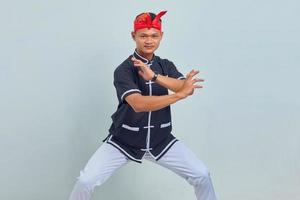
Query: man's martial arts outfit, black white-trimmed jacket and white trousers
[[145, 135]]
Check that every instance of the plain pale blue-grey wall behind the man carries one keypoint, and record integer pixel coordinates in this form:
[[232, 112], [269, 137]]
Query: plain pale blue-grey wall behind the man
[[56, 64]]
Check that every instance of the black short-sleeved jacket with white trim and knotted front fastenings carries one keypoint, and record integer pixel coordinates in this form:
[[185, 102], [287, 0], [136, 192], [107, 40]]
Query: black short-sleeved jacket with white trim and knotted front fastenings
[[134, 133]]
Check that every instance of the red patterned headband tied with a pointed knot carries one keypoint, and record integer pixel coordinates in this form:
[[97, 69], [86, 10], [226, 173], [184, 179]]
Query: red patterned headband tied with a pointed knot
[[144, 21]]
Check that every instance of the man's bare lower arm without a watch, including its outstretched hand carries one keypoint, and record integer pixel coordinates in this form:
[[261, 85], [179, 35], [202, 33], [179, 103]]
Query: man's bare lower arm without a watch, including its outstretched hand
[[142, 103]]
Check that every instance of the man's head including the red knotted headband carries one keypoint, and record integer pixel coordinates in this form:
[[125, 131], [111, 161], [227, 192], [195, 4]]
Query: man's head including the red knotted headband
[[147, 32]]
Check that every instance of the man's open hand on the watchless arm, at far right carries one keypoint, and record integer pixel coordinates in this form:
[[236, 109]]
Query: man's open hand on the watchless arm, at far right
[[190, 84]]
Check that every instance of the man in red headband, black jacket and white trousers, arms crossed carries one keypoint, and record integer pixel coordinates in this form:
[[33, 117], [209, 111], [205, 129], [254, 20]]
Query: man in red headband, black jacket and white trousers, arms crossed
[[141, 127]]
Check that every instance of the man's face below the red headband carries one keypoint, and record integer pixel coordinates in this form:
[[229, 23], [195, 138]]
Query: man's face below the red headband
[[147, 40]]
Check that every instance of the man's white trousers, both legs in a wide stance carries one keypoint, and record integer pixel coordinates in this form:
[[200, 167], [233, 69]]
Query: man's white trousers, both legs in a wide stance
[[179, 159]]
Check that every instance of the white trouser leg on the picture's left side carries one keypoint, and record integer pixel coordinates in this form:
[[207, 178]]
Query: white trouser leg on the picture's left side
[[99, 168]]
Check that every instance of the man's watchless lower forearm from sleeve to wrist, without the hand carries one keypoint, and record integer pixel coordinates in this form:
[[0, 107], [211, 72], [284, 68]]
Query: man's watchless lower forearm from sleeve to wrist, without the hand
[[152, 103]]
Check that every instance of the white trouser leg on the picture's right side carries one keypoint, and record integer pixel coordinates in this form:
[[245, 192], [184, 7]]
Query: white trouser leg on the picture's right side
[[184, 162]]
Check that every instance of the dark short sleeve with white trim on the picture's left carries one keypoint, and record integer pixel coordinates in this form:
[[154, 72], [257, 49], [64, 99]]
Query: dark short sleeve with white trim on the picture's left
[[124, 82]]
